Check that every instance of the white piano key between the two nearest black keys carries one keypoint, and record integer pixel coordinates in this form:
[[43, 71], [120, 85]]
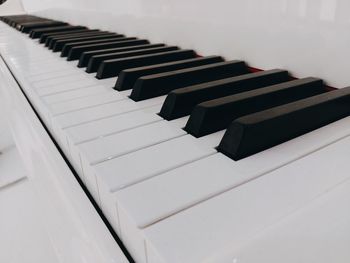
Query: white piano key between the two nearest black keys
[[146, 163]]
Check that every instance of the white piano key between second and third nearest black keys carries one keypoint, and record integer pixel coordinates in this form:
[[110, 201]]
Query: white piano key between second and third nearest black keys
[[122, 143]]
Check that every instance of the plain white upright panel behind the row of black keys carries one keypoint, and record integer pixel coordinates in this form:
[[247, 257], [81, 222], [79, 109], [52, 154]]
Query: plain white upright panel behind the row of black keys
[[307, 37]]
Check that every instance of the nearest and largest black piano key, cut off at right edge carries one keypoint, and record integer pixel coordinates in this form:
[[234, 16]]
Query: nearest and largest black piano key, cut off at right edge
[[262, 130]]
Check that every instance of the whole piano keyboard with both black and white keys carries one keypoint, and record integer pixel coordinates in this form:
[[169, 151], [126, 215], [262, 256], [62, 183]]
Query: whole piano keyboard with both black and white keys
[[189, 157]]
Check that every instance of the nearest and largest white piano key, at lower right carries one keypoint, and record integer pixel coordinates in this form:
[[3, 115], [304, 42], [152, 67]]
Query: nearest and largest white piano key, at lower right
[[234, 217]]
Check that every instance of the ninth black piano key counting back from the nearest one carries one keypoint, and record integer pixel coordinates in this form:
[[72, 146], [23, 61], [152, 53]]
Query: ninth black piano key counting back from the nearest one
[[76, 52]]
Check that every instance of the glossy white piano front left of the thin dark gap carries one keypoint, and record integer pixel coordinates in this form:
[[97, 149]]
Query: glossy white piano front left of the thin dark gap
[[72, 230]]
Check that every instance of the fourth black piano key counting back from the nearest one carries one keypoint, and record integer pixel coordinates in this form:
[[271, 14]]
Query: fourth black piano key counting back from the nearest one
[[162, 83]]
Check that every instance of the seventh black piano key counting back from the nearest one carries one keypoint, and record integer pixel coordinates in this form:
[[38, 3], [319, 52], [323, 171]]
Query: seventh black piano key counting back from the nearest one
[[96, 60]]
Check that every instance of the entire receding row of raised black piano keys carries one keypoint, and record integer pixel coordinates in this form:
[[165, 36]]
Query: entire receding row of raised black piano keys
[[259, 110]]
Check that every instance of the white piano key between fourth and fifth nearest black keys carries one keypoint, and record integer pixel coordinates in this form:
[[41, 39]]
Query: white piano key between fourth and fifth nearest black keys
[[85, 102]]
